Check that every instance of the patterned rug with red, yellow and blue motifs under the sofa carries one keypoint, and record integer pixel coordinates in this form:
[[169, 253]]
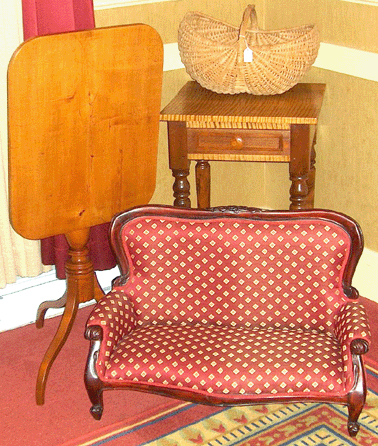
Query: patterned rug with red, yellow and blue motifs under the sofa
[[185, 424]]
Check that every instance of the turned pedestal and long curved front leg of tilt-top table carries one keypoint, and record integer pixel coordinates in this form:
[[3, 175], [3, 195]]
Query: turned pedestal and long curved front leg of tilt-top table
[[81, 286]]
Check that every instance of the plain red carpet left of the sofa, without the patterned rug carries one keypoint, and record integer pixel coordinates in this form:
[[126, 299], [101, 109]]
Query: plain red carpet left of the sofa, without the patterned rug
[[65, 414]]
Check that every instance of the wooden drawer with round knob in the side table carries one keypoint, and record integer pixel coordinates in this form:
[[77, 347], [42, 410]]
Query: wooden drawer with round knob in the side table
[[239, 142]]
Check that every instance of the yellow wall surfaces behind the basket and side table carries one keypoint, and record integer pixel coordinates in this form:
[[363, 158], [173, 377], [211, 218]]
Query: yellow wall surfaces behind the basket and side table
[[347, 158]]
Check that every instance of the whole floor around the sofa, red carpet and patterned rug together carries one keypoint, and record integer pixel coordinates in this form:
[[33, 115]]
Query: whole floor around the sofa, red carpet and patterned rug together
[[132, 418]]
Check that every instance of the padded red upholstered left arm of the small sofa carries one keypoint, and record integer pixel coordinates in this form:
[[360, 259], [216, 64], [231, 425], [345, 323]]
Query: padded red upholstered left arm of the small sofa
[[115, 316]]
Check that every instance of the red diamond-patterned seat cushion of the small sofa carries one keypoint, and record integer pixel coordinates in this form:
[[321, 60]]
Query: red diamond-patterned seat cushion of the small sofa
[[221, 360]]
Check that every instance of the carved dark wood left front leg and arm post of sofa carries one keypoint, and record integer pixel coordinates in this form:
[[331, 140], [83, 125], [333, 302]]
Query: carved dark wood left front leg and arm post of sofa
[[93, 384]]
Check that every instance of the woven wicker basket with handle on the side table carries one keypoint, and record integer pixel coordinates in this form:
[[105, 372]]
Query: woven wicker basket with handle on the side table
[[213, 54]]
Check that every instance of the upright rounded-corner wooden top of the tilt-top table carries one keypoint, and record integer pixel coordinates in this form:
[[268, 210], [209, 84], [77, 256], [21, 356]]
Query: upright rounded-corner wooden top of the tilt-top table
[[83, 127]]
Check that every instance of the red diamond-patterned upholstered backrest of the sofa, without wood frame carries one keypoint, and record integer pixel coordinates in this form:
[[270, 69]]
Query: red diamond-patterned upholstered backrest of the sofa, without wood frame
[[236, 271]]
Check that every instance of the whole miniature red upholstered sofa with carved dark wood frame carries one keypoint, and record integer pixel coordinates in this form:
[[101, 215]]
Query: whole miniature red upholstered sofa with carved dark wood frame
[[232, 306]]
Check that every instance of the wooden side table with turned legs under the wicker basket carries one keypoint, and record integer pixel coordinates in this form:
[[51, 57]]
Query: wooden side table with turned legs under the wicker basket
[[205, 126]]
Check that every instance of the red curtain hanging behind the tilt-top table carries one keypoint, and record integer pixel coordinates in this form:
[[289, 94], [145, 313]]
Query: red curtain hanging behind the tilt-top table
[[49, 17]]
